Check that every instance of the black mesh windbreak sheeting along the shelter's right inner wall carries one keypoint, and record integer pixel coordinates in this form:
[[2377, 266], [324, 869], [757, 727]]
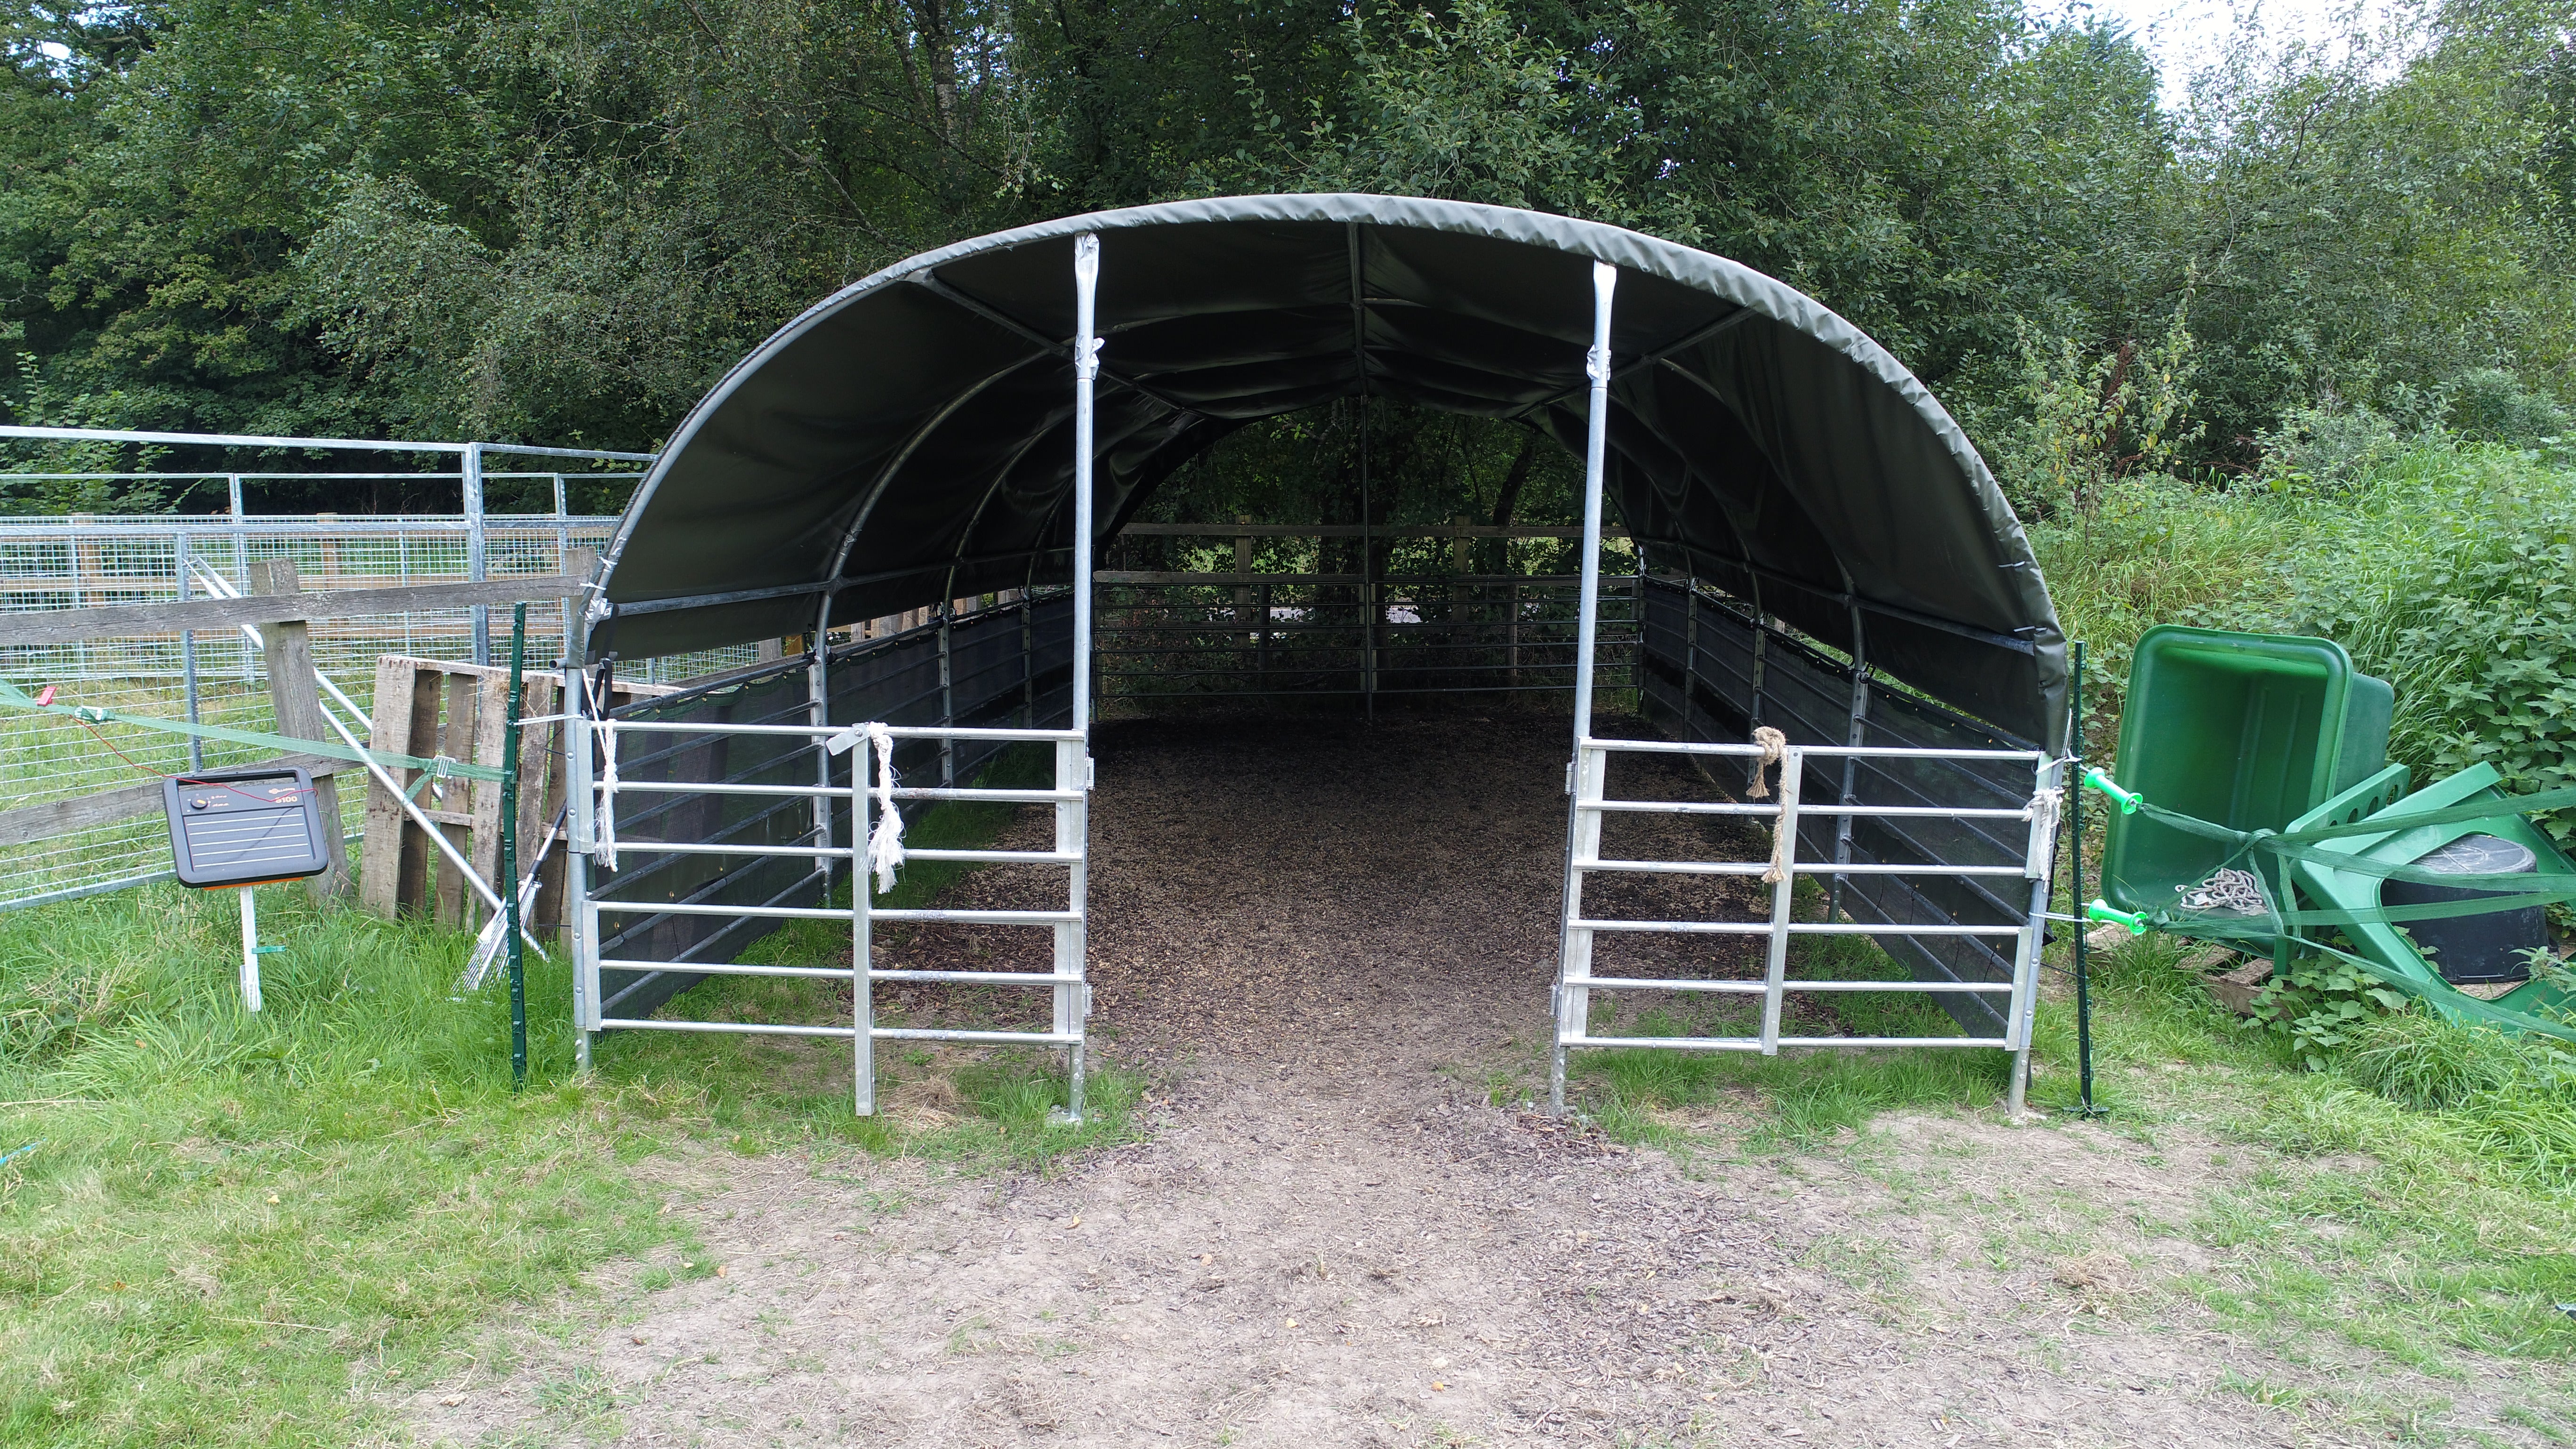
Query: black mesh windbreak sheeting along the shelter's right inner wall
[[1699, 677]]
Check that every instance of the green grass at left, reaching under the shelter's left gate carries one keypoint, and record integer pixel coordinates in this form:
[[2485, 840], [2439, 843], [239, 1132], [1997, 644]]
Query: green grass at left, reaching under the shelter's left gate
[[238, 1229]]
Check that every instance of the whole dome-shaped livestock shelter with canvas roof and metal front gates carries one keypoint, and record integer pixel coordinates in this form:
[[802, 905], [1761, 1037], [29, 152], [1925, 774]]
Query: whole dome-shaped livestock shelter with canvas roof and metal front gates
[[1820, 553]]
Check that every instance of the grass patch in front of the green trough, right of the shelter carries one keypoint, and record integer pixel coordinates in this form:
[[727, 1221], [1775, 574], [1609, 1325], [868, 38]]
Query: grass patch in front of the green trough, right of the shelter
[[2420, 1231]]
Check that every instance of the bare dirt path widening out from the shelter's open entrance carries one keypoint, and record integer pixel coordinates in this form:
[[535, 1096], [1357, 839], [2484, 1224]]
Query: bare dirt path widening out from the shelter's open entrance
[[1323, 942]]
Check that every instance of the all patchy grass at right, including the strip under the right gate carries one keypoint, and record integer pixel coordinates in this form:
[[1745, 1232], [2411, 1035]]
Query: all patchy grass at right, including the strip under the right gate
[[2420, 1198]]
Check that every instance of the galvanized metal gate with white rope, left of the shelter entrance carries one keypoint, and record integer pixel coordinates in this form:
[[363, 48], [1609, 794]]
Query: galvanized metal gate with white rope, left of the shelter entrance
[[1070, 801]]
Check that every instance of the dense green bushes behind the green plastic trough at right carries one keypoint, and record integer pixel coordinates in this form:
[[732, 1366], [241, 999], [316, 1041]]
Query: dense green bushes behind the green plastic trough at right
[[2448, 569]]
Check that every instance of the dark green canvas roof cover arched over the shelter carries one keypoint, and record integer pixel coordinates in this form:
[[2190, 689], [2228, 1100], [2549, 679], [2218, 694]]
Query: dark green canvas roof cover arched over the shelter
[[911, 437]]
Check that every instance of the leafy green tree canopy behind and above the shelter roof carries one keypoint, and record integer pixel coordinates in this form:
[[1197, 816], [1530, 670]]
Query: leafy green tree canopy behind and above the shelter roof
[[563, 220]]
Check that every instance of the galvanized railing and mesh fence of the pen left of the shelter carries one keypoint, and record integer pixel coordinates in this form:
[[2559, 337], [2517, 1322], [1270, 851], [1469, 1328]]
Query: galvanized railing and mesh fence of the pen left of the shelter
[[53, 563]]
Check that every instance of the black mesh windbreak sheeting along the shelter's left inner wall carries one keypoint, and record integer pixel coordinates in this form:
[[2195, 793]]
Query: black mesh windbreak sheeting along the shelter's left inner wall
[[1006, 669]]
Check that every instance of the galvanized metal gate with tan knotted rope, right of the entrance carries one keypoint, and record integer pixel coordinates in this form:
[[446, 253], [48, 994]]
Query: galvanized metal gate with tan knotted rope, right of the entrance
[[1781, 873]]
